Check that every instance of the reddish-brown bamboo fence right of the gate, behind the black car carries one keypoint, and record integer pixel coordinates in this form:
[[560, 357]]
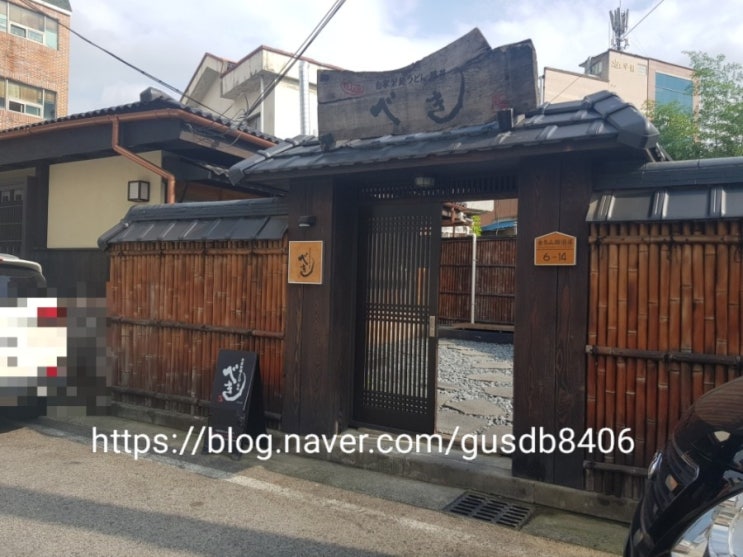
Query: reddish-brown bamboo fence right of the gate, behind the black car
[[663, 328]]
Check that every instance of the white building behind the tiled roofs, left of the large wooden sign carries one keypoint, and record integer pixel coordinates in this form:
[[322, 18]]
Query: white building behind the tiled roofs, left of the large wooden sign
[[242, 91]]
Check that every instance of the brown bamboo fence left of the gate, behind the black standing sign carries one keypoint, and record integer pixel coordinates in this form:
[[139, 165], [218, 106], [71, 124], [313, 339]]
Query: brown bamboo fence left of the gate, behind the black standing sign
[[173, 305]]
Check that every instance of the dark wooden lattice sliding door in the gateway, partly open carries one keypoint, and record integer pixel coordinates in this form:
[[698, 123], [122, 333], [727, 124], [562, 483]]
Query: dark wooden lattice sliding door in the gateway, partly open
[[395, 378]]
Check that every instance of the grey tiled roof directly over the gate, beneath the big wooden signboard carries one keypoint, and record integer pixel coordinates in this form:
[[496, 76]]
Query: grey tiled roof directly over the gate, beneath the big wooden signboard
[[601, 116]]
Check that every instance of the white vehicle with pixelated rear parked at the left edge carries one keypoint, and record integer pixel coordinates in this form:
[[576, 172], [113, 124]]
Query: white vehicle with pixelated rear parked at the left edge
[[33, 337]]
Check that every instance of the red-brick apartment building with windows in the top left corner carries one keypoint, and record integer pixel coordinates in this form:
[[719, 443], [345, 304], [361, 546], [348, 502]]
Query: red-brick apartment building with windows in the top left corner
[[35, 60]]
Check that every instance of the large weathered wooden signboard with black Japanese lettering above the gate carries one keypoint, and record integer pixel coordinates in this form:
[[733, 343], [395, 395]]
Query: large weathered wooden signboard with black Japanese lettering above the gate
[[465, 83]]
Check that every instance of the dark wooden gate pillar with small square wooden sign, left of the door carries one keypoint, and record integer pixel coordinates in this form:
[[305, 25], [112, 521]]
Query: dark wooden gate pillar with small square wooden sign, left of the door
[[319, 323]]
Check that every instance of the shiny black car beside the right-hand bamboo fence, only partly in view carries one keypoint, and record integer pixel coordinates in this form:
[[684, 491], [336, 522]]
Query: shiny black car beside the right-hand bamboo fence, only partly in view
[[693, 500]]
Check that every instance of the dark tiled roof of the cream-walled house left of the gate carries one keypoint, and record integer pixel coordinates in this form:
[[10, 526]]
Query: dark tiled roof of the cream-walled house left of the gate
[[150, 99]]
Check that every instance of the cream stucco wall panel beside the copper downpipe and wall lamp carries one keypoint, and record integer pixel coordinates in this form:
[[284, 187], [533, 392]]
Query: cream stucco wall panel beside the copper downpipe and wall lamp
[[87, 198]]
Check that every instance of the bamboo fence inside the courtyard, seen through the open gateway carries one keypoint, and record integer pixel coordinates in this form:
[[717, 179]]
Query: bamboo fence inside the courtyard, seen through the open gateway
[[495, 286]]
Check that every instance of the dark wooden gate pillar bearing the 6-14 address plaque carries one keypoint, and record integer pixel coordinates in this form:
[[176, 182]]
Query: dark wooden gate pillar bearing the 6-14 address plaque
[[551, 318]]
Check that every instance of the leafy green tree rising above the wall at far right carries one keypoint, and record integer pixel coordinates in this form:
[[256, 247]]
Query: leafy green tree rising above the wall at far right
[[715, 129]]
